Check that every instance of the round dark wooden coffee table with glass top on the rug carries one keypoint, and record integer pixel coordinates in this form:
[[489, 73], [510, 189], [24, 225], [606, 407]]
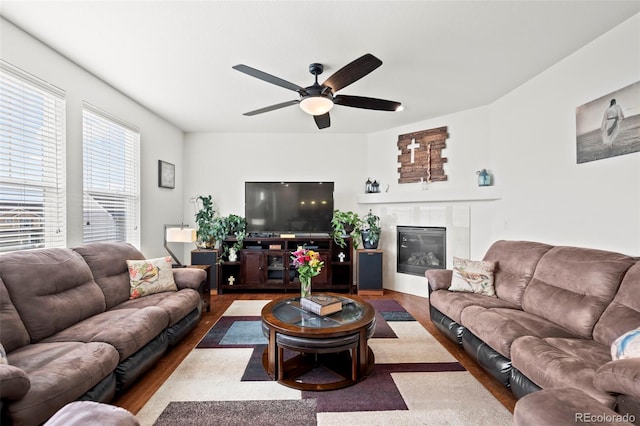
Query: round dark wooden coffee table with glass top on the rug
[[337, 342]]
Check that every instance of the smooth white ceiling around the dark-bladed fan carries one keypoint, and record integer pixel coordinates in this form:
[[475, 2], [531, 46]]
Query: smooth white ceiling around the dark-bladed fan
[[175, 57]]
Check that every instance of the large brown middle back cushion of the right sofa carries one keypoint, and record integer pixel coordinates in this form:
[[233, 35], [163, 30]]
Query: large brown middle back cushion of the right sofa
[[572, 286]]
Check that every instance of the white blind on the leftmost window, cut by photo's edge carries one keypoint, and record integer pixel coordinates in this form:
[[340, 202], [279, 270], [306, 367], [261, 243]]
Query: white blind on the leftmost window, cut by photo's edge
[[32, 162]]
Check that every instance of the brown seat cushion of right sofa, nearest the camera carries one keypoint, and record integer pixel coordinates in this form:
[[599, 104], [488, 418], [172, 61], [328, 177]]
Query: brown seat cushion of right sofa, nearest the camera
[[562, 362]]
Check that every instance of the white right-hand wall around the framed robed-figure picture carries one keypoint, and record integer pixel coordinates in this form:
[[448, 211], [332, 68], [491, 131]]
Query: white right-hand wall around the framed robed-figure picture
[[547, 195]]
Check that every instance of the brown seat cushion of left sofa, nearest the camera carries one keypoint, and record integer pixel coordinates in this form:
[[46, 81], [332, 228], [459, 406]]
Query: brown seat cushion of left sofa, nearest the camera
[[59, 373]]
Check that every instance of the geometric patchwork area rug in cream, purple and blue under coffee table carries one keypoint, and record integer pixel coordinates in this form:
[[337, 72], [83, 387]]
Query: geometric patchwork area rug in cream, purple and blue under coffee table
[[414, 381]]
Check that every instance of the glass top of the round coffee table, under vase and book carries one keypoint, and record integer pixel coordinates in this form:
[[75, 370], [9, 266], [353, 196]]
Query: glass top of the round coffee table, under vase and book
[[290, 312]]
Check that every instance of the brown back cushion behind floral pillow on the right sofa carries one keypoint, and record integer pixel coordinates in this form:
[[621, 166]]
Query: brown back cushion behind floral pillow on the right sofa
[[515, 263]]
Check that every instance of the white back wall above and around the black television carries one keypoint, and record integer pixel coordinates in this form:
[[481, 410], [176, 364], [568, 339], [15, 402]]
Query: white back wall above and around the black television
[[220, 163]]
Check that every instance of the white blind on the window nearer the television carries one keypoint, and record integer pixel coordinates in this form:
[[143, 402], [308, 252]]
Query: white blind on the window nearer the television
[[111, 178]]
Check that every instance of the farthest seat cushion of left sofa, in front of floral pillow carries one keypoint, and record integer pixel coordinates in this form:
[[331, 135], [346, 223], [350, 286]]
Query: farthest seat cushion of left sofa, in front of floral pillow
[[176, 304]]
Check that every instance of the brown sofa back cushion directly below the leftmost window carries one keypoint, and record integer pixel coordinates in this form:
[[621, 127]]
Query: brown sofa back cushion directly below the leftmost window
[[50, 288]]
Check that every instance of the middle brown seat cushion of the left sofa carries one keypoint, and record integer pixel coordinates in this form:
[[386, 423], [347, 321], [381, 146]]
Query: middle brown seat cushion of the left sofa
[[128, 330]]
